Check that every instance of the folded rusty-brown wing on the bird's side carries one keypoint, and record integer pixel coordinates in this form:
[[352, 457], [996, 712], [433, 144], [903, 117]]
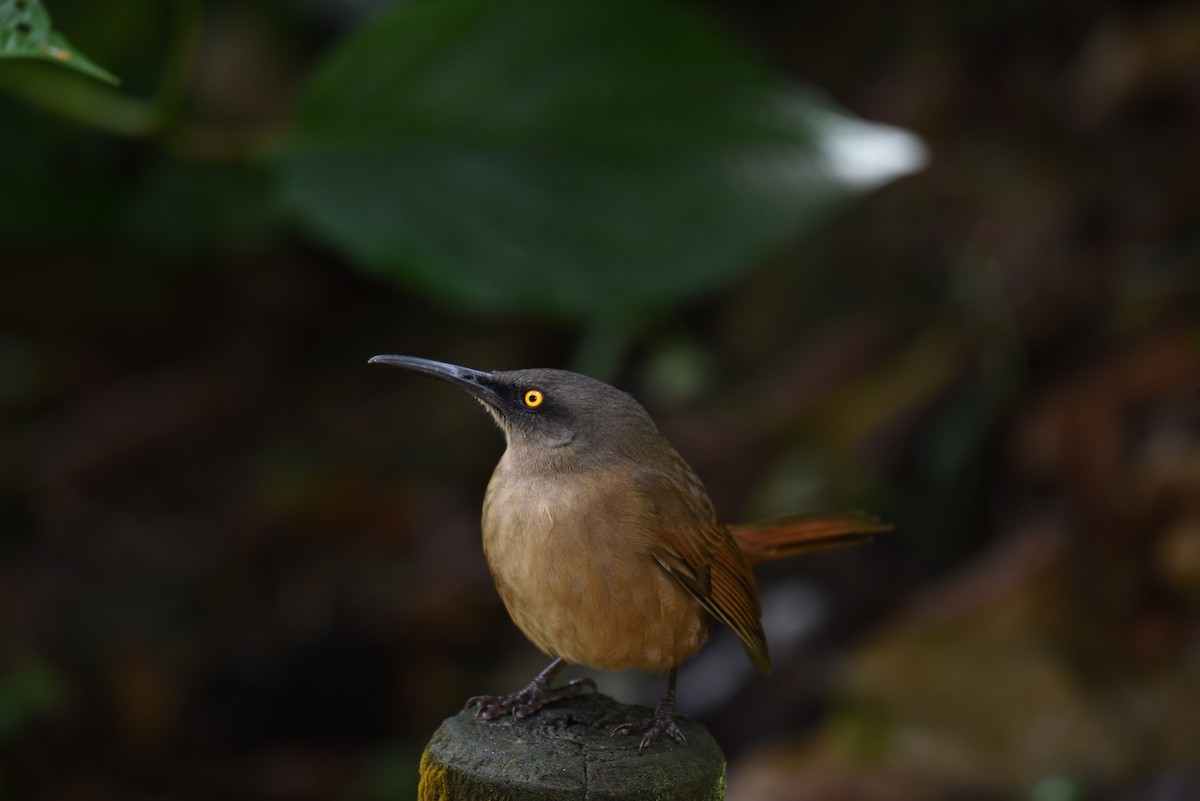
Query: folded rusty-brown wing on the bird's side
[[693, 546]]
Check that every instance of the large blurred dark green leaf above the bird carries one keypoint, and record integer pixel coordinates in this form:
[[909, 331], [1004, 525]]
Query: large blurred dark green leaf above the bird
[[581, 159]]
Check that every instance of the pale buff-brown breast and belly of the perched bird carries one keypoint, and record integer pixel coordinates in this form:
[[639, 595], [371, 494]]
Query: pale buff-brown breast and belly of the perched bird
[[583, 585]]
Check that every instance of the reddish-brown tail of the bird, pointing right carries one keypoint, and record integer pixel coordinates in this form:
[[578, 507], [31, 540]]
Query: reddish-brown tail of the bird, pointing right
[[799, 534]]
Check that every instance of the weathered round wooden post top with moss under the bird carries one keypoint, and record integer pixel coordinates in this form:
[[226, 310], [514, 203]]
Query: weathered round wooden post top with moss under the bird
[[566, 752]]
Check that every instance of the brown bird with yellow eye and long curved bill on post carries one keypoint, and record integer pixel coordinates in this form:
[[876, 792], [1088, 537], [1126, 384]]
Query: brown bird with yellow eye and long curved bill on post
[[604, 544]]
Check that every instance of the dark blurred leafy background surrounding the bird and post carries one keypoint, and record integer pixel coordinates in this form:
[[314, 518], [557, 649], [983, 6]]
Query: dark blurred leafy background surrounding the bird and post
[[236, 563]]
